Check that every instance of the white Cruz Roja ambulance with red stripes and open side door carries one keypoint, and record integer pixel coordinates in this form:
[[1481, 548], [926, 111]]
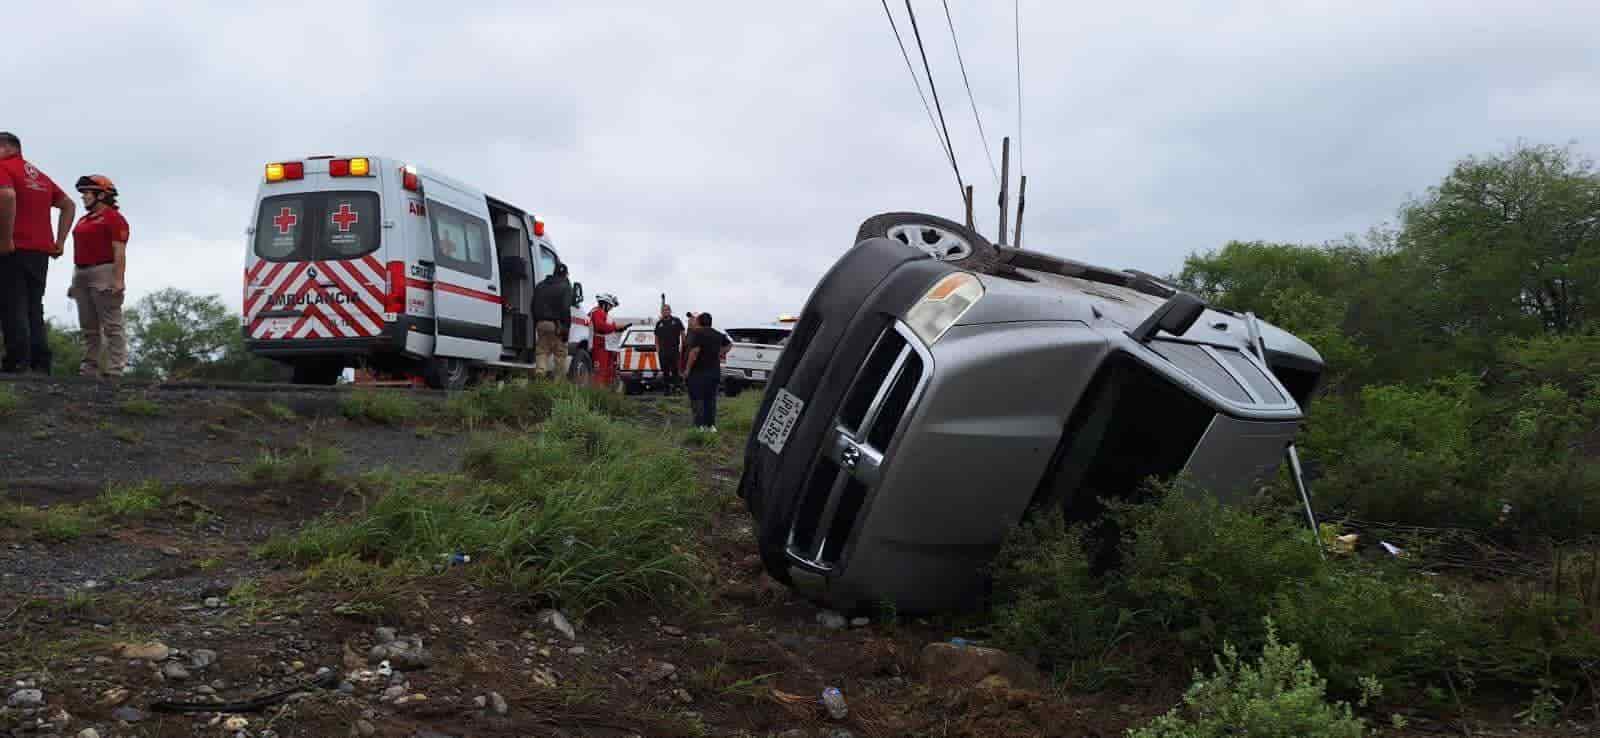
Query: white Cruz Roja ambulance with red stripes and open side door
[[394, 270]]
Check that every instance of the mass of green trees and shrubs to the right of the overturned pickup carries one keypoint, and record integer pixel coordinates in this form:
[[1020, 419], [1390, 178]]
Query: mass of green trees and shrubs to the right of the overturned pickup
[[1460, 423]]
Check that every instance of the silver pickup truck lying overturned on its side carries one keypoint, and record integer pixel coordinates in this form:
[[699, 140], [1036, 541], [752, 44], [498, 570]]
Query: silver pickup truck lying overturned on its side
[[937, 388]]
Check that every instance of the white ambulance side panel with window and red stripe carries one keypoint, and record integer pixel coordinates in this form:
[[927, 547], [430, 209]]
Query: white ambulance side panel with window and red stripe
[[466, 287]]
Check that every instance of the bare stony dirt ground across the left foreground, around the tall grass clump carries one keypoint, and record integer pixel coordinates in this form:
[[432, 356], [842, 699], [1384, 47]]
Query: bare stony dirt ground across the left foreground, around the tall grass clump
[[172, 606]]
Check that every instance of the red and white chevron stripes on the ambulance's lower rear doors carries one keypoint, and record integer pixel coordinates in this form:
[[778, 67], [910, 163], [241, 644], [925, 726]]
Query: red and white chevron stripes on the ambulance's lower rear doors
[[345, 299]]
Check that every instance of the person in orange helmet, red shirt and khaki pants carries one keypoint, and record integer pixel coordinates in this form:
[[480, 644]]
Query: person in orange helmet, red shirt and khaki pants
[[100, 252]]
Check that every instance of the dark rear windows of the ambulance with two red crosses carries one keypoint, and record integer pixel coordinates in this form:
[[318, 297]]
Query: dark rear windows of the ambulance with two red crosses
[[318, 227]]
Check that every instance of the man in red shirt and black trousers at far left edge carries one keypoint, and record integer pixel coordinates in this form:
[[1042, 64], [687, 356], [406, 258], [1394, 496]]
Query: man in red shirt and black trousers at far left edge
[[26, 249]]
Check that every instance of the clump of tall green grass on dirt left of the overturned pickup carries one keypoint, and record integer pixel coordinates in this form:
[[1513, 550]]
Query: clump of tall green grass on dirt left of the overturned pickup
[[585, 513]]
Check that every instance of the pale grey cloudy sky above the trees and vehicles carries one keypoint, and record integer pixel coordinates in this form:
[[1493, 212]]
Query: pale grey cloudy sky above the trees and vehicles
[[726, 151]]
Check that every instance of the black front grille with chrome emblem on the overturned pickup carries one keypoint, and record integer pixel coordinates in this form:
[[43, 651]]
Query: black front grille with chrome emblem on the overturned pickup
[[850, 462]]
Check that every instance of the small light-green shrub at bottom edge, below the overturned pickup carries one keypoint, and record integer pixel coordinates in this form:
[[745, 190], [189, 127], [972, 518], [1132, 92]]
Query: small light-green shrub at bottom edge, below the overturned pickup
[[1278, 697]]
